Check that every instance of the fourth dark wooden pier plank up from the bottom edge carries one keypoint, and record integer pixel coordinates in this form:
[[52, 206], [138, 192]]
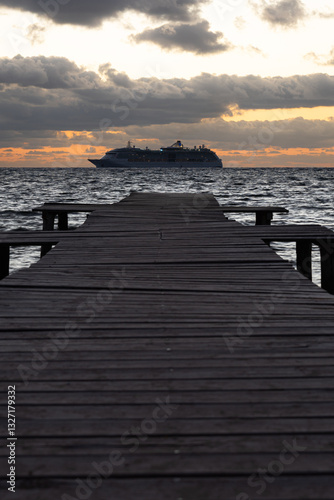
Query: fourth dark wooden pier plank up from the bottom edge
[[173, 426]]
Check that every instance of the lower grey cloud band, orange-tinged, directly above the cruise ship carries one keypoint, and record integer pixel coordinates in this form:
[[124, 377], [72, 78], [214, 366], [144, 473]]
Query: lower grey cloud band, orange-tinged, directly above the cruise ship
[[241, 137]]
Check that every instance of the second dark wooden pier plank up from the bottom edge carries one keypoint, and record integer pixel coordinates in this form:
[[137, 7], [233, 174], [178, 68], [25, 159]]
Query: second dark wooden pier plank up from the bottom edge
[[171, 463]]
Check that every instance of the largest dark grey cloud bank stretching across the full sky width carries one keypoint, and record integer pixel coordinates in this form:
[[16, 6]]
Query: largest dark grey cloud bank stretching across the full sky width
[[55, 94]]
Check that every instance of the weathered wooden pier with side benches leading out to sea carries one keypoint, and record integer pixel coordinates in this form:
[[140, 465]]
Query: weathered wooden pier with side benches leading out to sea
[[163, 351]]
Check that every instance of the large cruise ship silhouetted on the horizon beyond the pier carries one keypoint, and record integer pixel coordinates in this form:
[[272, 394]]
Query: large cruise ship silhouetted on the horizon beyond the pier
[[175, 155]]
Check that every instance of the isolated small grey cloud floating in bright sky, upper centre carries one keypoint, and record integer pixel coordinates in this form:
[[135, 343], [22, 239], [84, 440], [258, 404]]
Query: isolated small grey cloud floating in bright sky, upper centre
[[195, 38]]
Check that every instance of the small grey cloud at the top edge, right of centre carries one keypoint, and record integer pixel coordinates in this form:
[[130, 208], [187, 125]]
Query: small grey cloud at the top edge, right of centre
[[283, 13]]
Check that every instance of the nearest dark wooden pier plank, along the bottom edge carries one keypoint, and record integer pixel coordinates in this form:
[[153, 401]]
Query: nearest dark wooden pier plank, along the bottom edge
[[285, 486]]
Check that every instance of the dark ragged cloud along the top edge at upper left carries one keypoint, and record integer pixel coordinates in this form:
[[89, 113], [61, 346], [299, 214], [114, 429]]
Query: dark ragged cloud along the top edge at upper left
[[93, 13]]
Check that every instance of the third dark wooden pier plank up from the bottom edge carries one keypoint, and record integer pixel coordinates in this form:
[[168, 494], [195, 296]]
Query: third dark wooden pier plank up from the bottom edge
[[70, 446]]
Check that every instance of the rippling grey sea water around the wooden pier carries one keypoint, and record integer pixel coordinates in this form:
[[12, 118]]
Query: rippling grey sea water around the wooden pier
[[306, 192]]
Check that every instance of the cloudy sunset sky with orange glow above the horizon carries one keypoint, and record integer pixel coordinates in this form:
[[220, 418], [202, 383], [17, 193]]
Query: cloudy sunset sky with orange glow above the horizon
[[252, 80]]
